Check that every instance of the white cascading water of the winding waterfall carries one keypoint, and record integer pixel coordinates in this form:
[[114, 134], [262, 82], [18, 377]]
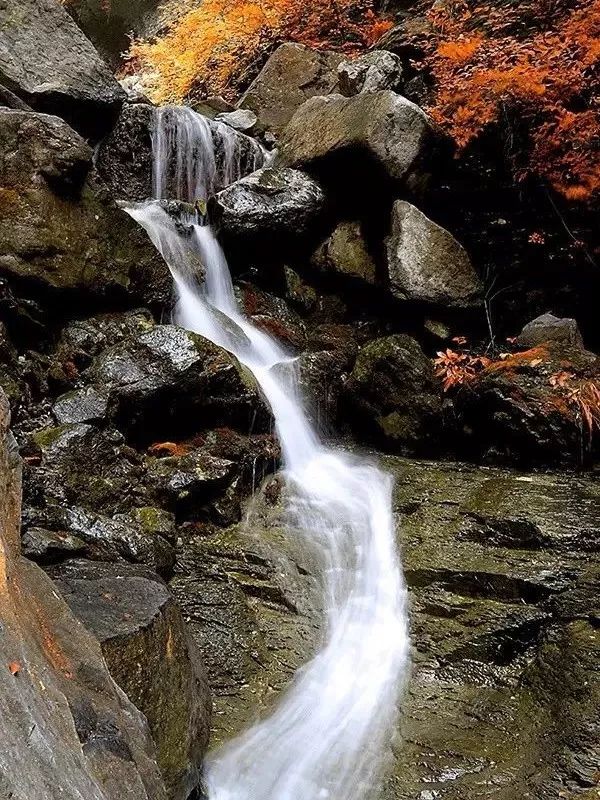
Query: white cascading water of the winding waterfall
[[329, 735]]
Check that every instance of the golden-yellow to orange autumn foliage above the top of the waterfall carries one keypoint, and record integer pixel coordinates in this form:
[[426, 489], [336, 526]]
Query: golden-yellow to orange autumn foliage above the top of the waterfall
[[215, 49]]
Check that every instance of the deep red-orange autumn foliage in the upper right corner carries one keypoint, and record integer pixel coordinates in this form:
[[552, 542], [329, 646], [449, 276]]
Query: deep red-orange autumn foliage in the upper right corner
[[532, 65]]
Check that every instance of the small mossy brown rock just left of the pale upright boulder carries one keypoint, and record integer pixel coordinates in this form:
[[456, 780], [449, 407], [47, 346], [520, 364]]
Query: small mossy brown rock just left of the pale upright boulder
[[346, 254]]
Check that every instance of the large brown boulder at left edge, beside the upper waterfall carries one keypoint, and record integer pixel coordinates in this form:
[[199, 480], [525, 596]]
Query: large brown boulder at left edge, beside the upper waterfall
[[59, 230]]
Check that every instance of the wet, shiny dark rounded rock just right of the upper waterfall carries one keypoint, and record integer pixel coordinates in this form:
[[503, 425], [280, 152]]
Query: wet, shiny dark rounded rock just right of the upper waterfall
[[271, 205]]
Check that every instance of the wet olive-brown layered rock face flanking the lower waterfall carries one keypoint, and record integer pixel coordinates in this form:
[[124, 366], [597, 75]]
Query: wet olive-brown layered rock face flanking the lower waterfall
[[503, 573]]
